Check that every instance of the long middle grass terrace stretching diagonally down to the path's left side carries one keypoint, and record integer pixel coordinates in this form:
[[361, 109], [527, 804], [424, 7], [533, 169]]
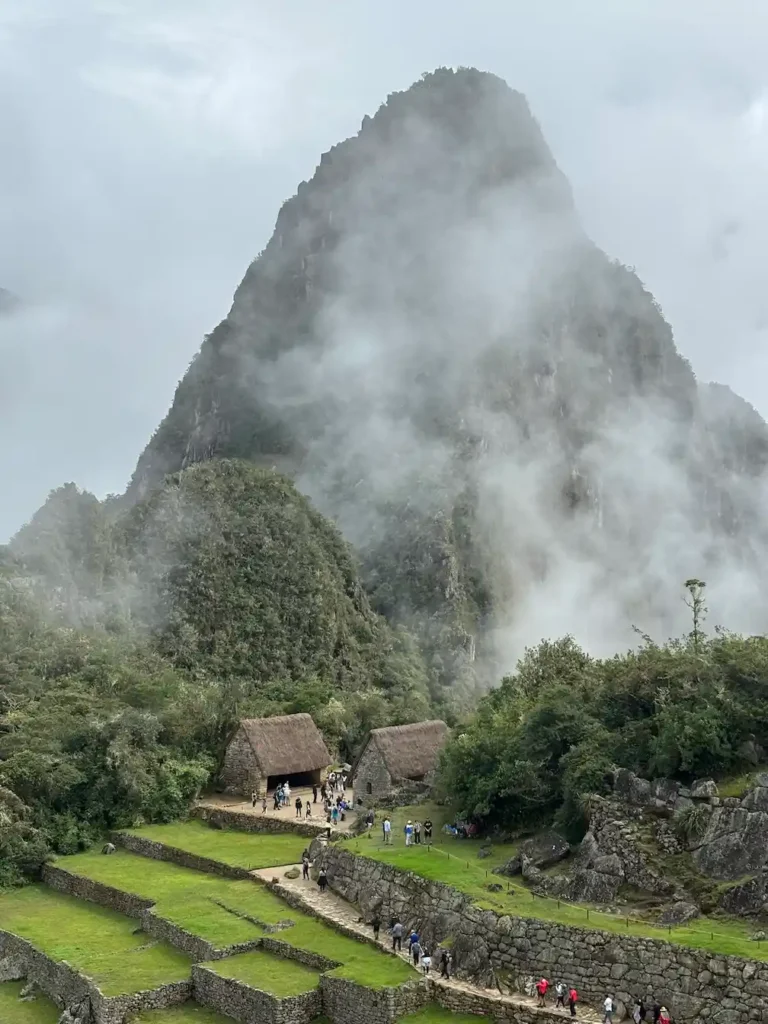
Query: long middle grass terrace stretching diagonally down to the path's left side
[[207, 906]]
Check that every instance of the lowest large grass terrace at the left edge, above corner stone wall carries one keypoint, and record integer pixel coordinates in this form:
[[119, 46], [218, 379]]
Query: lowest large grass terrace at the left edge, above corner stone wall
[[96, 942]]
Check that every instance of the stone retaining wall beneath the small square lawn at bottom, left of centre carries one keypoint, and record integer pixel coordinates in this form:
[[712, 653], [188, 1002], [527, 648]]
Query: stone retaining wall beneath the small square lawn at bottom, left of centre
[[250, 1006]]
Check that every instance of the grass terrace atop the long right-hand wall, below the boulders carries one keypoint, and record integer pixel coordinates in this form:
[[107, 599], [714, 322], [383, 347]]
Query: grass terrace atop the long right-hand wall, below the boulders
[[456, 863]]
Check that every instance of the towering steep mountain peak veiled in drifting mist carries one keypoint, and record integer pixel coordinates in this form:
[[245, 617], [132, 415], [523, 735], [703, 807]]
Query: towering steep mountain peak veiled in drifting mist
[[494, 411]]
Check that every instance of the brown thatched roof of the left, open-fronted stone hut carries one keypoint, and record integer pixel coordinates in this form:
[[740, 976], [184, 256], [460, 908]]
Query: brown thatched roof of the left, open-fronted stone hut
[[286, 745]]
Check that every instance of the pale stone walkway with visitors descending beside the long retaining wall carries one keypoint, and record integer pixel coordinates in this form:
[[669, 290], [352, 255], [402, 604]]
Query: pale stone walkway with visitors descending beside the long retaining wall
[[336, 912]]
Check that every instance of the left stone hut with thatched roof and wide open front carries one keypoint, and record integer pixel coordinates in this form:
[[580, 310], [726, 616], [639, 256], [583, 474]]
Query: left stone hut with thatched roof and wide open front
[[266, 750]]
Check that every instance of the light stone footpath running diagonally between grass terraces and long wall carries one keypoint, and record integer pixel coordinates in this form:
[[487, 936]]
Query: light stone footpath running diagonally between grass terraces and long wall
[[336, 911]]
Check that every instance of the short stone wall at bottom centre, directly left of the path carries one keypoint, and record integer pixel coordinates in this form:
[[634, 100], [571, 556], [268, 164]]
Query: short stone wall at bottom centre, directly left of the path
[[347, 1003]]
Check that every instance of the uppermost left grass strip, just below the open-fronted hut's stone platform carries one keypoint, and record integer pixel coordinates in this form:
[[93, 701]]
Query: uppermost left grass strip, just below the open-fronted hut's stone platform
[[249, 850]]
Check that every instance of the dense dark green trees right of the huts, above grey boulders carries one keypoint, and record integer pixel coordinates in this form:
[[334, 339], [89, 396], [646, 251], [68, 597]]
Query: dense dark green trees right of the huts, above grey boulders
[[552, 734]]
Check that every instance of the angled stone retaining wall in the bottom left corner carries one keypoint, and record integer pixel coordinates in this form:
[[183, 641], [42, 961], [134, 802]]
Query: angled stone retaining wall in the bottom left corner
[[67, 988]]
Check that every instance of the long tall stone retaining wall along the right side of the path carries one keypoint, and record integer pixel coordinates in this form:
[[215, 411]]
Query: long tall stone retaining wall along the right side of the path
[[509, 953]]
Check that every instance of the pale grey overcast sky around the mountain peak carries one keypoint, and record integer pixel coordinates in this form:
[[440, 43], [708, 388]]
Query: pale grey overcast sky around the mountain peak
[[148, 145]]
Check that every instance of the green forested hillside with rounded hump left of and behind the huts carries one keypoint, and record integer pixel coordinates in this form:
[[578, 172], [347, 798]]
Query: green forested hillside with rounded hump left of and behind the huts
[[225, 594]]
